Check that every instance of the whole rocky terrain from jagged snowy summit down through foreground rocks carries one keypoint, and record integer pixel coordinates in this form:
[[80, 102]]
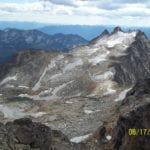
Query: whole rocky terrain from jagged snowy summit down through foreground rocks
[[90, 96]]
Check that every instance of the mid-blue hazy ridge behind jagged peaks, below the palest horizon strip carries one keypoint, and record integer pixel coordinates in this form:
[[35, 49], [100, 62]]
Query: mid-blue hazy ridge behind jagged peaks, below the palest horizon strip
[[88, 32]]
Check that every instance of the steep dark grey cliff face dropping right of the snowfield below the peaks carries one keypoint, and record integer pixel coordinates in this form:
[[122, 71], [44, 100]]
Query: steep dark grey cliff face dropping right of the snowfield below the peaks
[[135, 64]]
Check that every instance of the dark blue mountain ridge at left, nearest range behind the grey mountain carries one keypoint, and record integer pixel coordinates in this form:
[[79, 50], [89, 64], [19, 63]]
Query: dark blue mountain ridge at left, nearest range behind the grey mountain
[[12, 40]]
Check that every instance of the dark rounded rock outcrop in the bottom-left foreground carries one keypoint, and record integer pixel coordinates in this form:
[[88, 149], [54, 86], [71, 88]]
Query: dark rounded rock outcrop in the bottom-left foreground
[[24, 134]]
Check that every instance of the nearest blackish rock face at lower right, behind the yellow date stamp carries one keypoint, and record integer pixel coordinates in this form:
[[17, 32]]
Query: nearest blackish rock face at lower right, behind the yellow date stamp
[[138, 119]]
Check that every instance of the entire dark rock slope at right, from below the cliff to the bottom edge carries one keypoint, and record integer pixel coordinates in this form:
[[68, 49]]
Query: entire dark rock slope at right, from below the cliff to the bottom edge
[[135, 110]]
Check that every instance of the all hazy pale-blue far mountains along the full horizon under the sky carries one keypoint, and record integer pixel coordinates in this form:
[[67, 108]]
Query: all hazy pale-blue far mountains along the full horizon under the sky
[[86, 31]]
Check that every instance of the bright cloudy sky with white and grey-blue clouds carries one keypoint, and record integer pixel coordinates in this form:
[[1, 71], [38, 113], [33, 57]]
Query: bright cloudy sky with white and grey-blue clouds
[[90, 12]]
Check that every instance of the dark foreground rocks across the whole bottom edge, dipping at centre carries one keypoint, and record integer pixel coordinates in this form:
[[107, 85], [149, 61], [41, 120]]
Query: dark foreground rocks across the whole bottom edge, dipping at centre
[[23, 134]]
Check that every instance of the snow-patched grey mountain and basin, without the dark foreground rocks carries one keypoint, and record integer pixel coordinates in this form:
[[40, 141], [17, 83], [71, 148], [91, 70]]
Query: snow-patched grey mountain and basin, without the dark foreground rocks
[[74, 92]]
